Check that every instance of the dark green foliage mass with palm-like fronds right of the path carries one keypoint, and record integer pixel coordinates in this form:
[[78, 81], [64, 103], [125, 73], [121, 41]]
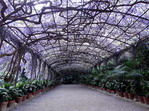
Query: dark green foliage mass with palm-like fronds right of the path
[[129, 75]]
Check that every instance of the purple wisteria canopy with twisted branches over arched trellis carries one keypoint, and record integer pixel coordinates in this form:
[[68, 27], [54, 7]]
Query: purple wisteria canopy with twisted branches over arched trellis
[[68, 34]]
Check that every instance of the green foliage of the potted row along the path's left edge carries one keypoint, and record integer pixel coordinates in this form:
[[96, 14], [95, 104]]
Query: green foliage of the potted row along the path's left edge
[[10, 91]]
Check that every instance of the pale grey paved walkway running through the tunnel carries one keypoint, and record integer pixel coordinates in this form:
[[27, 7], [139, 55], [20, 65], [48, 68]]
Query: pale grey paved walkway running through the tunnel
[[77, 98]]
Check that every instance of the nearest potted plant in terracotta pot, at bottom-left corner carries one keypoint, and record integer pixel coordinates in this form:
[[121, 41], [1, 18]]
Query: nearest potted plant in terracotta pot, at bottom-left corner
[[4, 99]]
